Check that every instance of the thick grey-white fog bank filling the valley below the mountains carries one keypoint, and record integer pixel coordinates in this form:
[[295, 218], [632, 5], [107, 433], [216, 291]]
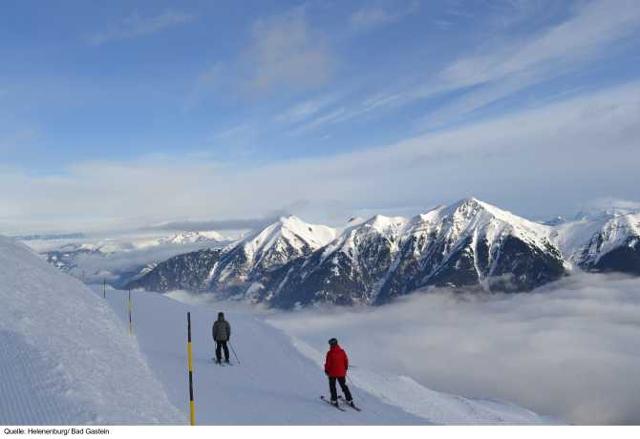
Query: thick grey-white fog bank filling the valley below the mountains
[[569, 350]]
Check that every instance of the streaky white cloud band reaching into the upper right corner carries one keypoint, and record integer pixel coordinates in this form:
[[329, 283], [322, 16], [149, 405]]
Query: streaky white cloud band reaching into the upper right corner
[[500, 70]]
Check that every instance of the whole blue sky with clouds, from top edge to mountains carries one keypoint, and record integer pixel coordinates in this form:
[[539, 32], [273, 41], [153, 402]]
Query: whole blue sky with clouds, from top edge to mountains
[[100, 97]]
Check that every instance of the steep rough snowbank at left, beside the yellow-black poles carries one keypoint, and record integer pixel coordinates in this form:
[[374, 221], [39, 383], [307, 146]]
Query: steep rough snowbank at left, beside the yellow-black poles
[[65, 357]]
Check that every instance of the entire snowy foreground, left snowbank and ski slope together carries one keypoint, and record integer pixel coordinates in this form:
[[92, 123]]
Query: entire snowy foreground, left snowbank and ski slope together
[[66, 357]]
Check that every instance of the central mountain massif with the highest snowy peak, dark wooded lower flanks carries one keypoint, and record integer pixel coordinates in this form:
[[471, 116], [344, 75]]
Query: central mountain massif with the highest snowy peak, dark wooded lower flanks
[[469, 243]]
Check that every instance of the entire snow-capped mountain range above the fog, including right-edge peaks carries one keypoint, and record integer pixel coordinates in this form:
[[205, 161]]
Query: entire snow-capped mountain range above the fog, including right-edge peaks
[[468, 244]]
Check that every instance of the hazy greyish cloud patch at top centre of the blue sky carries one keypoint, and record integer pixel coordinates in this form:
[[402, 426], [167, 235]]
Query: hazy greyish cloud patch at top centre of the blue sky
[[286, 51]]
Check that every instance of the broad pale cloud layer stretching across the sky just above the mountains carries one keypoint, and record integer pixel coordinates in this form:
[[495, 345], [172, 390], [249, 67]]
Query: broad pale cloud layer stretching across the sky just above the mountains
[[570, 151]]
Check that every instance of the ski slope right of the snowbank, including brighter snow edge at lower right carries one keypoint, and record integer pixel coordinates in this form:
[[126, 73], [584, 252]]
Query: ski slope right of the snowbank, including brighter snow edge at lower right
[[279, 380]]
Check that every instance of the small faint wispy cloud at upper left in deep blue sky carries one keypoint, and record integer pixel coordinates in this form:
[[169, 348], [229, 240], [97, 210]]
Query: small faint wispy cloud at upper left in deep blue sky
[[135, 25]]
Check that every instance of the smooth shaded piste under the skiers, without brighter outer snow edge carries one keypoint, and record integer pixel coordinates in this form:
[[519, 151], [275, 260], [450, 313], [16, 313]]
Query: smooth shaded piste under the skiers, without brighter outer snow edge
[[273, 384]]
